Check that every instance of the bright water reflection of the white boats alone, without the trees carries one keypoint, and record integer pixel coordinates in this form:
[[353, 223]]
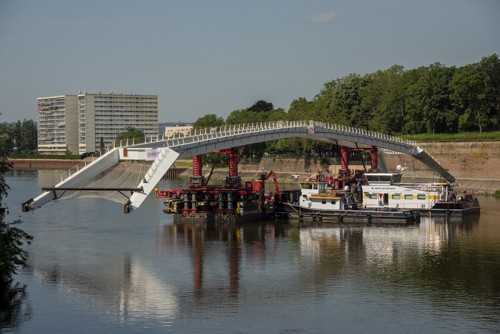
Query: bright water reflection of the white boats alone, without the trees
[[384, 246]]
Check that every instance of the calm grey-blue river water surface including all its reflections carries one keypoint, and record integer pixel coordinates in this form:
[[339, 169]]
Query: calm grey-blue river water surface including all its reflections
[[93, 269]]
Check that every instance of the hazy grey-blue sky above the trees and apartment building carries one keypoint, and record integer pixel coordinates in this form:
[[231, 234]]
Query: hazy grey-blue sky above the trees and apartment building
[[216, 56]]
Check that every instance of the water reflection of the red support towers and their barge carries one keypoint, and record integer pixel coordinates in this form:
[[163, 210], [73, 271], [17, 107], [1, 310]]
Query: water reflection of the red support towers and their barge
[[231, 243]]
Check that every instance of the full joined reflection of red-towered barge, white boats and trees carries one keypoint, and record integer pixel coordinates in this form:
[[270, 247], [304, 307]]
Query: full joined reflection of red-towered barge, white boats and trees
[[435, 255]]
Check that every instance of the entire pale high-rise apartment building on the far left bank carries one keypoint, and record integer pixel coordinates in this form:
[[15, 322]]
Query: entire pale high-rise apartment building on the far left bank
[[76, 123]]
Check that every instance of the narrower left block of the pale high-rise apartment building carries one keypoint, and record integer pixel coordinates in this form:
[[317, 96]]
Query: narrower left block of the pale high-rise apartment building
[[57, 124]]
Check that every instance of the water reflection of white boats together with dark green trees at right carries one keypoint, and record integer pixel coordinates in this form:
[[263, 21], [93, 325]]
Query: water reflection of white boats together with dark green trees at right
[[439, 255]]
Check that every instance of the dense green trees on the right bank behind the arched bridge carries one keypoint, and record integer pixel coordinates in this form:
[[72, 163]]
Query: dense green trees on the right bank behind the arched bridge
[[433, 99]]
